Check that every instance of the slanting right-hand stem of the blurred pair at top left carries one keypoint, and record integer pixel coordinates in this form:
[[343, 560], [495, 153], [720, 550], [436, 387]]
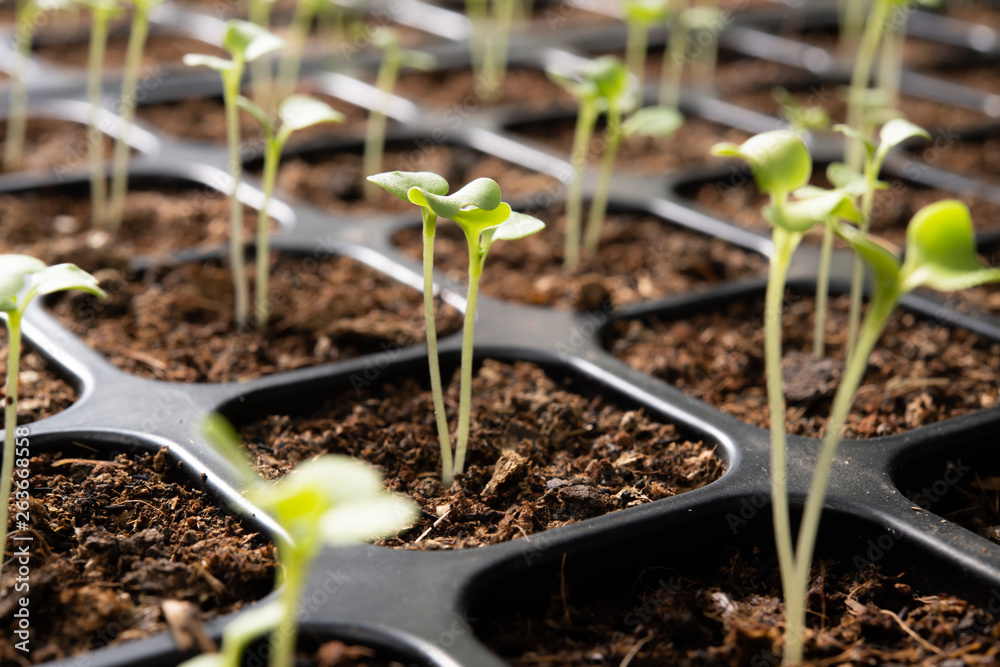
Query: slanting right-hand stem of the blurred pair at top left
[[130, 81]]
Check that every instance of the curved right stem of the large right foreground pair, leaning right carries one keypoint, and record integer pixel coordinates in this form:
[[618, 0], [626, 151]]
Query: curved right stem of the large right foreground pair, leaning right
[[878, 314]]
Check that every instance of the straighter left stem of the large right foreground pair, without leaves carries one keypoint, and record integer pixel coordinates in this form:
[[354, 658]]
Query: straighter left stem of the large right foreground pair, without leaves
[[784, 247]]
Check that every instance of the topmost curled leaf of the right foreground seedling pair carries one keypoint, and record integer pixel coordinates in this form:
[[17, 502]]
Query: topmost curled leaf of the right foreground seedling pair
[[779, 159]]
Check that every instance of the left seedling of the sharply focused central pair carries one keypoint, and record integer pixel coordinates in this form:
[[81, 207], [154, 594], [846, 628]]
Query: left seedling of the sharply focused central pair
[[400, 184]]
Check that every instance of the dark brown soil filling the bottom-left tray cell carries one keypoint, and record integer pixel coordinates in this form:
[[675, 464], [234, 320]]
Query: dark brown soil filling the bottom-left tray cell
[[111, 541]]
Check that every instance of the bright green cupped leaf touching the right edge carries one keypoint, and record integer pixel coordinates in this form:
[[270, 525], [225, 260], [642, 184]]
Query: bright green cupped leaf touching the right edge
[[941, 250]]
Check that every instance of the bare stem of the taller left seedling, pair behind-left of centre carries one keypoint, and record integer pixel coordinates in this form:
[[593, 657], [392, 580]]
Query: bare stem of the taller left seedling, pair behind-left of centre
[[237, 262]]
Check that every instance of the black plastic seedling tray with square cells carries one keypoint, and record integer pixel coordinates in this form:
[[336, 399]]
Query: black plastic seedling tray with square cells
[[422, 608]]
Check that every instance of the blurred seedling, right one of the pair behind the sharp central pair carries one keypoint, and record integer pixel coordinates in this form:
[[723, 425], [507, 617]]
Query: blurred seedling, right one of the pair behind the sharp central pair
[[619, 91]]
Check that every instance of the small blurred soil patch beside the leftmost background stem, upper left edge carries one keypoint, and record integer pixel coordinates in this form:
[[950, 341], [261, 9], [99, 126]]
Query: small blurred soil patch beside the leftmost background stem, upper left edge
[[57, 145]]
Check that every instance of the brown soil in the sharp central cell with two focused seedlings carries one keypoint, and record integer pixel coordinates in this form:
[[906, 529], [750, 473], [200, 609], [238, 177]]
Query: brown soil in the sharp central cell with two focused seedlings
[[540, 455]]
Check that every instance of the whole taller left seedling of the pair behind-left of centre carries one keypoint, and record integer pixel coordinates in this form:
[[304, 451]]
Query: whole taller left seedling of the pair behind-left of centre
[[246, 42]]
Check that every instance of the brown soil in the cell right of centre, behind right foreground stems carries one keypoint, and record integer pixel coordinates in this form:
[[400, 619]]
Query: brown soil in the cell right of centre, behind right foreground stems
[[920, 373]]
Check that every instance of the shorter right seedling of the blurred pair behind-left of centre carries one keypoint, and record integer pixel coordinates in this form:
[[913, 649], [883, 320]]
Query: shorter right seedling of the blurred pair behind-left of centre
[[296, 112]]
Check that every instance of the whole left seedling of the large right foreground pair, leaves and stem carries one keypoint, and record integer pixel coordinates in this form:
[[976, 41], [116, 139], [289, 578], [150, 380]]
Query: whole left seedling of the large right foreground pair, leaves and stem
[[781, 165]]
